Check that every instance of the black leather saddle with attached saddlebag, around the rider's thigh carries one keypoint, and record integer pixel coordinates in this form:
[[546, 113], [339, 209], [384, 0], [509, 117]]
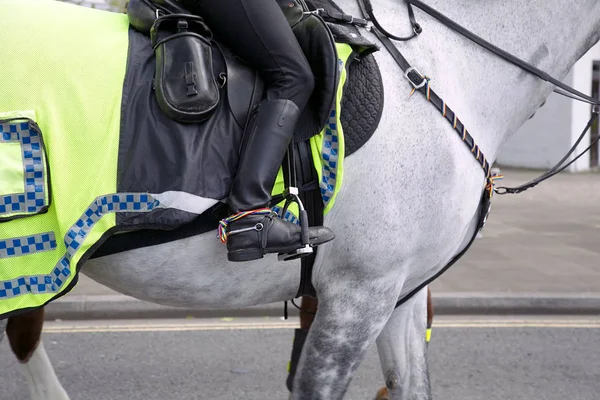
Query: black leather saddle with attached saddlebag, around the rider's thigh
[[186, 86]]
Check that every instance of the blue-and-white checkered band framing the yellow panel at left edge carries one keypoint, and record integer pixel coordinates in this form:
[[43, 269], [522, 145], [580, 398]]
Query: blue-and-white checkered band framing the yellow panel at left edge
[[33, 200]]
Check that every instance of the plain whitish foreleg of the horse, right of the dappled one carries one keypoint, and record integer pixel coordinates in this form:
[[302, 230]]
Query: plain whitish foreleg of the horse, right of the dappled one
[[402, 347]]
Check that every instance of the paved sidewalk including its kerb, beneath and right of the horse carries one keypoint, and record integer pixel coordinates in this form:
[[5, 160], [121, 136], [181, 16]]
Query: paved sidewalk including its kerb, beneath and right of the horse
[[538, 253]]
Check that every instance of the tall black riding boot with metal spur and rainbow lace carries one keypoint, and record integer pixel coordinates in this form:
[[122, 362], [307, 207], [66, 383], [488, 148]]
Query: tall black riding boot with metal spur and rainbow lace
[[254, 230]]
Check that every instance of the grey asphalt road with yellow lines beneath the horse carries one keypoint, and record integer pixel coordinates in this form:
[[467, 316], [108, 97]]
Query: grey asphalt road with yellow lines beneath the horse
[[503, 359]]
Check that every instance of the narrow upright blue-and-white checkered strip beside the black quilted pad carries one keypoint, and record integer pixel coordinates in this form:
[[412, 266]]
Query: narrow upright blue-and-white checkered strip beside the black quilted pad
[[330, 158]]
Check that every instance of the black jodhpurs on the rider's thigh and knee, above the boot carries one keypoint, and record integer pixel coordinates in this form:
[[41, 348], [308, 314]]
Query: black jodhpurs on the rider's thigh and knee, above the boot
[[257, 31]]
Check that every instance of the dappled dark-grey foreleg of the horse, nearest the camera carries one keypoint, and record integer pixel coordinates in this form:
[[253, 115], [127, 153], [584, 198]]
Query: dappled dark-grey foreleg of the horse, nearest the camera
[[346, 324]]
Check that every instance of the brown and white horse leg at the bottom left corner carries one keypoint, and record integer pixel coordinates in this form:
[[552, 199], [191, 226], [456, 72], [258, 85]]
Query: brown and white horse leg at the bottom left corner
[[24, 336]]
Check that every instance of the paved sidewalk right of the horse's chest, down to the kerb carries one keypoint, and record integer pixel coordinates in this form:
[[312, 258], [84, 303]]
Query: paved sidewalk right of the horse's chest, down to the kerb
[[546, 239]]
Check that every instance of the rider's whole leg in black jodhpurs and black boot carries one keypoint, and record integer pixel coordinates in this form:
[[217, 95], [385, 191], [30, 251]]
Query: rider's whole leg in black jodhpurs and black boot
[[257, 31]]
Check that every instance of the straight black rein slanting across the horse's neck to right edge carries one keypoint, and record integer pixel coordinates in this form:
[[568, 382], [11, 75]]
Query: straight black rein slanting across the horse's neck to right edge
[[501, 53]]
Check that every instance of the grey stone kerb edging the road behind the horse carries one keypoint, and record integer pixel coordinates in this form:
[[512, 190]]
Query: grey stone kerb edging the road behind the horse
[[471, 303]]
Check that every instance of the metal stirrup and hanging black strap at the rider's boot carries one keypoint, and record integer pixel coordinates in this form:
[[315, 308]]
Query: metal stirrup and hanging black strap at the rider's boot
[[291, 196]]
